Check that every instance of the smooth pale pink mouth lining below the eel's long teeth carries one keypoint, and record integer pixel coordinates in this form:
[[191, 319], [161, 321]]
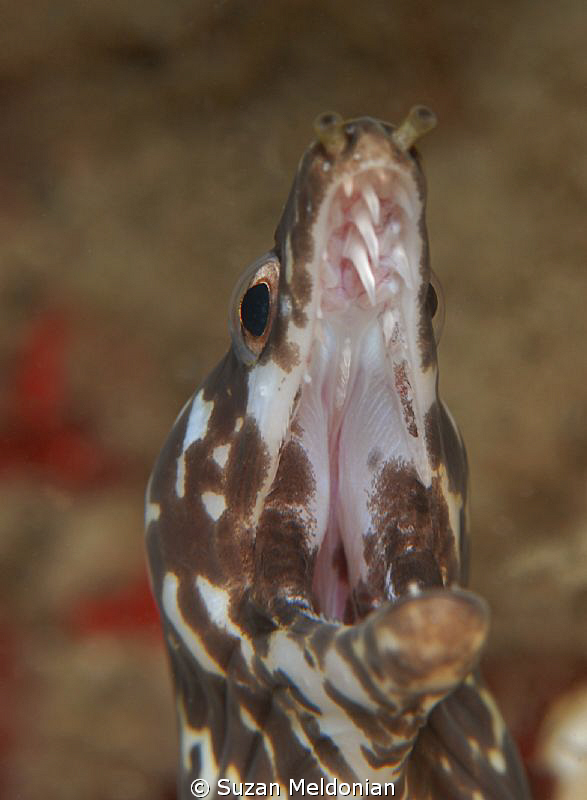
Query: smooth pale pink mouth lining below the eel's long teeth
[[351, 422]]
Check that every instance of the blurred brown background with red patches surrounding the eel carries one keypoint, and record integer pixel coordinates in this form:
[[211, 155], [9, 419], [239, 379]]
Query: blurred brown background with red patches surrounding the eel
[[146, 149]]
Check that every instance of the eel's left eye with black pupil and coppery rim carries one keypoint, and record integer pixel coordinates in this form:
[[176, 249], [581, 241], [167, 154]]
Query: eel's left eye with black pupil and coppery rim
[[253, 308]]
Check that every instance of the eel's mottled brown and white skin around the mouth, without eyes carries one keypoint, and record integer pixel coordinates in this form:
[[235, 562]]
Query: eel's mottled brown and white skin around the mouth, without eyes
[[258, 695]]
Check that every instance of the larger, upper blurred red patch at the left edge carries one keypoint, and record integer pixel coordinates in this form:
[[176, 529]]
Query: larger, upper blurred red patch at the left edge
[[38, 434]]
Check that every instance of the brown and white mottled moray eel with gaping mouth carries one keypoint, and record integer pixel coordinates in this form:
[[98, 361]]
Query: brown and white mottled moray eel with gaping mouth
[[306, 518]]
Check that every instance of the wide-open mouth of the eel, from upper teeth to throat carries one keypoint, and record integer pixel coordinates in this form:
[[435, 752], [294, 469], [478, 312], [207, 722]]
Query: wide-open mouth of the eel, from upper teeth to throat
[[362, 406]]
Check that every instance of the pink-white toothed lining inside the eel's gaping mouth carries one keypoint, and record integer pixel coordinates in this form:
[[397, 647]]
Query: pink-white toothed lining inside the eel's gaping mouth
[[349, 407]]
